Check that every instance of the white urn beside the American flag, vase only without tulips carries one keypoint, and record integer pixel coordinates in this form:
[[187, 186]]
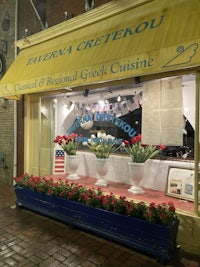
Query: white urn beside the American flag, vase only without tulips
[[72, 166]]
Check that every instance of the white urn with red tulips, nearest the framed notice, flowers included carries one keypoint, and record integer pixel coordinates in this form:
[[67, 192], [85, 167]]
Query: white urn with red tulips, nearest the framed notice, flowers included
[[139, 154]]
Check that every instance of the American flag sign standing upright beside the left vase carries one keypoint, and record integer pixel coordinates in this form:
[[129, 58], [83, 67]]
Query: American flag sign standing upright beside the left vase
[[59, 162]]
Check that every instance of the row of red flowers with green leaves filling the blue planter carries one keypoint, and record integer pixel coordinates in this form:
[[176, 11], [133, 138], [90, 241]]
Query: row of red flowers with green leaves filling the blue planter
[[156, 213]]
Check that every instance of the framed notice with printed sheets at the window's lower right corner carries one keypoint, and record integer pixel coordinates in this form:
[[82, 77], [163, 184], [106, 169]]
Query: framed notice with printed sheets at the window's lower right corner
[[180, 183]]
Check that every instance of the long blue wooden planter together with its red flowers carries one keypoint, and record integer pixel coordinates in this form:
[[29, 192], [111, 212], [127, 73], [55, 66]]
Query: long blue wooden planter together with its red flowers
[[150, 227]]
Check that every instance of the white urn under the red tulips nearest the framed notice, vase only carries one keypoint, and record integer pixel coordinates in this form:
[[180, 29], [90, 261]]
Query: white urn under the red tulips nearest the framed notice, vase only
[[136, 172]]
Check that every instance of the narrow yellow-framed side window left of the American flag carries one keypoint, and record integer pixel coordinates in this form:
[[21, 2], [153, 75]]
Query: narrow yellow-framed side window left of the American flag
[[40, 130]]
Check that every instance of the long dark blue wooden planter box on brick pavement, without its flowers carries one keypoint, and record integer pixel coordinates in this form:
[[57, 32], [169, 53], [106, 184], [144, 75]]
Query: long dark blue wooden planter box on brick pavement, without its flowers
[[158, 240]]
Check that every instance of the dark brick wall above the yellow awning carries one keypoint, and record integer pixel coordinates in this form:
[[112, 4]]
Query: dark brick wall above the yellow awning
[[50, 11]]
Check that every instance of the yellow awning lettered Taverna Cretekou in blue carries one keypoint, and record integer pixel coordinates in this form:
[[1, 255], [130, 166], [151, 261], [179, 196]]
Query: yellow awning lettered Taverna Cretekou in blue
[[116, 41]]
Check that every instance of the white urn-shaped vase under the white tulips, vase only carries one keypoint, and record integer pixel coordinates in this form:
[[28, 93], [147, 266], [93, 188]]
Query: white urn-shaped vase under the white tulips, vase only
[[102, 166]]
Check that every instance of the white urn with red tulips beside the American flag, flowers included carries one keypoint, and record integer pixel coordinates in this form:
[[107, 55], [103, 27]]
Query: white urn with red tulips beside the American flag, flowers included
[[70, 145]]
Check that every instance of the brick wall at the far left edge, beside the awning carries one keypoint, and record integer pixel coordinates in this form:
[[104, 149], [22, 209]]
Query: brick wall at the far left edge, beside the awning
[[7, 34]]
